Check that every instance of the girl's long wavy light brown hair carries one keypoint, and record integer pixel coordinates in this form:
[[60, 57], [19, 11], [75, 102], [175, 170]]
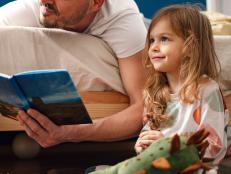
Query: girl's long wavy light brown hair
[[199, 58]]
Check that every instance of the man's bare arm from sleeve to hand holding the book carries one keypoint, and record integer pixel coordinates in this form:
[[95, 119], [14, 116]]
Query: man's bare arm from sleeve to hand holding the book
[[119, 126]]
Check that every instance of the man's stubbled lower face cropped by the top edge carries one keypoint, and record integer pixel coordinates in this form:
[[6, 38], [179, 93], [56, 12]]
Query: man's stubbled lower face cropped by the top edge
[[66, 14]]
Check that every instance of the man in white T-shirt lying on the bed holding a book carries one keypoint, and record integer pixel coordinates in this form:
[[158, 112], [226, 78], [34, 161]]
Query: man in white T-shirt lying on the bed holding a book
[[120, 25]]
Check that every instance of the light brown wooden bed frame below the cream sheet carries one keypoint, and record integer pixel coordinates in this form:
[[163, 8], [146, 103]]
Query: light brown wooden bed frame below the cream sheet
[[98, 104]]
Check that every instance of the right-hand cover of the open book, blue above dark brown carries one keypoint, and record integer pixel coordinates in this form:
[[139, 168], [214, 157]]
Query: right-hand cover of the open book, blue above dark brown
[[53, 93]]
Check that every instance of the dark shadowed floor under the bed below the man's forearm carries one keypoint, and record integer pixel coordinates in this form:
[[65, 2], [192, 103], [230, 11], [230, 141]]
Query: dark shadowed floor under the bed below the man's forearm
[[63, 159]]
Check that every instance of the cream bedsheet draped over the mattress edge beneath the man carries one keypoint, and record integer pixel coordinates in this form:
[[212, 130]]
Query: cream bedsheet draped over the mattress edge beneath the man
[[91, 63]]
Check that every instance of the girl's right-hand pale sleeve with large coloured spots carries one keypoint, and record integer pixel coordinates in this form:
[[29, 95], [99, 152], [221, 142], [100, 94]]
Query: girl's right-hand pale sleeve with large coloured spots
[[214, 118]]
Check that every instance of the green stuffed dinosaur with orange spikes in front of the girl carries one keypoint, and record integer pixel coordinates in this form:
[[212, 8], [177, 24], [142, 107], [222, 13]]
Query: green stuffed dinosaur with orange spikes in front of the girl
[[166, 156]]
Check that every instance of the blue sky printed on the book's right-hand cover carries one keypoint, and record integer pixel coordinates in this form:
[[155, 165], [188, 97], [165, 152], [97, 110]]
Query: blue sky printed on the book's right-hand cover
[[53, 86]]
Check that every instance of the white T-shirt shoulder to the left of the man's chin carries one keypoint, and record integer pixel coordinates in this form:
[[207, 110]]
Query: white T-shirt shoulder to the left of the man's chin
[[20, 13]]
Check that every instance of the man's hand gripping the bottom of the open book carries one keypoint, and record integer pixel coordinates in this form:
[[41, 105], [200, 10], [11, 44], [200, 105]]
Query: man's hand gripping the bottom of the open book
[[40, 128]]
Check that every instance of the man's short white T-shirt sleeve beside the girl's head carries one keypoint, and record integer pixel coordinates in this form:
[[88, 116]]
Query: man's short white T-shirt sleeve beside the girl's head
[[127, 35]]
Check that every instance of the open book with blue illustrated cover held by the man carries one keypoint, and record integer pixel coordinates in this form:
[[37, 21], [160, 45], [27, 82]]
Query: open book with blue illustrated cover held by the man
[[51, 92]]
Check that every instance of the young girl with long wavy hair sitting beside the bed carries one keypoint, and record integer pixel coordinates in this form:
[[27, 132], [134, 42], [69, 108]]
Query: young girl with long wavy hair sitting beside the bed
[[181, 94]]
